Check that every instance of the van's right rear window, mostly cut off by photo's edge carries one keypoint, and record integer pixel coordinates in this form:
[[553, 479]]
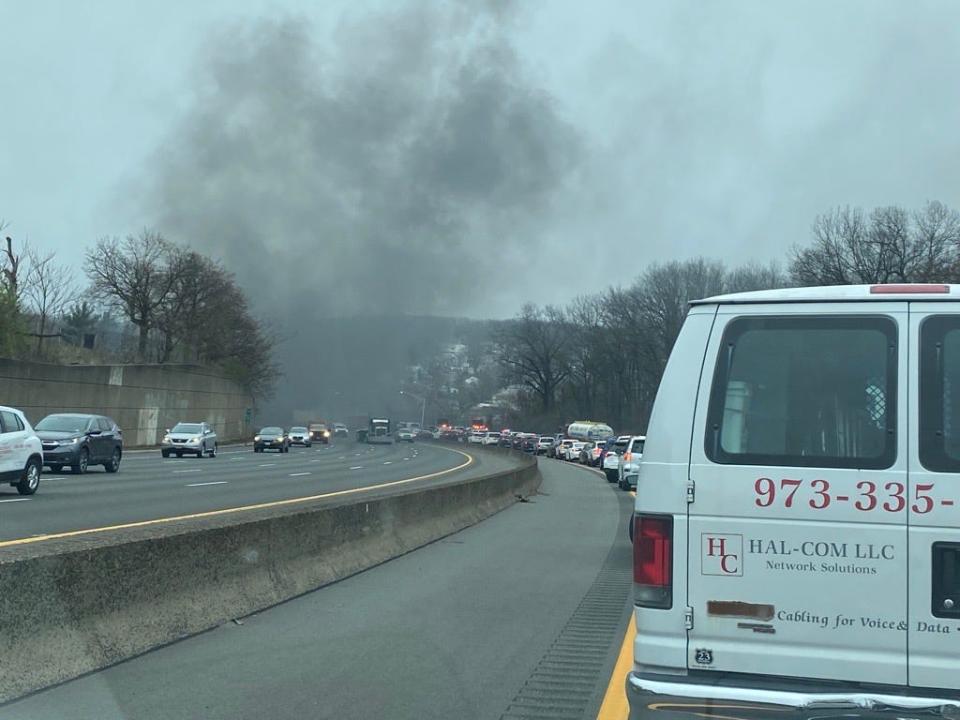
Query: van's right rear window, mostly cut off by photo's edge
[[940, 393]]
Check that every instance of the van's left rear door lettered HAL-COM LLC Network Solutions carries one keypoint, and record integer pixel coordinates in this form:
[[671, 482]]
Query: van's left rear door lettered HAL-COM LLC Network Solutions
[[797, 527]]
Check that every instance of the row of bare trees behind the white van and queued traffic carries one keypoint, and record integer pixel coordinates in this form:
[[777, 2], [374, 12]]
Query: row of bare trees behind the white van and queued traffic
[[602, 356]]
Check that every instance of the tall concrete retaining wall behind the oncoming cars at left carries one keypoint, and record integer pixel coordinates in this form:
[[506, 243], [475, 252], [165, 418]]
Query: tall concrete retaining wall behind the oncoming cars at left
[[144, 400]]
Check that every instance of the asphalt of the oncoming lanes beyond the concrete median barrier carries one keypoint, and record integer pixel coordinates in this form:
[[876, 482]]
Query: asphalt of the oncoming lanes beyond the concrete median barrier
[[149, 487]]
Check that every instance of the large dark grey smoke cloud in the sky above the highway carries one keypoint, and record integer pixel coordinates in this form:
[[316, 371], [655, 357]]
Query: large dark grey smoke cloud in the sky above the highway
[[397, 168]]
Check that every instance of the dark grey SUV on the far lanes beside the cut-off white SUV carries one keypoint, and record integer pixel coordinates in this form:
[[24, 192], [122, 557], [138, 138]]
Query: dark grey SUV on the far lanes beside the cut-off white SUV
[[79, 441]]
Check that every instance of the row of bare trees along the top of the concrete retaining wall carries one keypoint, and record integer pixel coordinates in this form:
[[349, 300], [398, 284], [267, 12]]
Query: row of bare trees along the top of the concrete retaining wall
[[182, 306]]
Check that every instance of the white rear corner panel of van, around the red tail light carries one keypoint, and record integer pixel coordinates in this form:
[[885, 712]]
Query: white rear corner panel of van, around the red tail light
[[662, 483]]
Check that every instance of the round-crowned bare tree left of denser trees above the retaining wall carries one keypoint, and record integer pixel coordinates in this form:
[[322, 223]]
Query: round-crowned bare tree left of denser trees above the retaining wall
[[134, 275]]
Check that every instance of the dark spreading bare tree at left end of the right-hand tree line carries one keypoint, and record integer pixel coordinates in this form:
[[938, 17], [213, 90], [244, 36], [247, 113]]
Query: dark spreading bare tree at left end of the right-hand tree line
[[533, 351]]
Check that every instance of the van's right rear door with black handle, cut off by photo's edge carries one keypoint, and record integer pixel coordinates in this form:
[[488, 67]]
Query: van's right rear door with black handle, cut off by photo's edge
[[934, 496]]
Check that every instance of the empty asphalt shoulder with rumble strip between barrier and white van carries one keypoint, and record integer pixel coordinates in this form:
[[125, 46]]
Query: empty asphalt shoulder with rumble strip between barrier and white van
[[519, 616]]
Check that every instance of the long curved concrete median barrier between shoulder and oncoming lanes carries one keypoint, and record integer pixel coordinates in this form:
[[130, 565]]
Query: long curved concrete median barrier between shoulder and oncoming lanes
[[77, 605]]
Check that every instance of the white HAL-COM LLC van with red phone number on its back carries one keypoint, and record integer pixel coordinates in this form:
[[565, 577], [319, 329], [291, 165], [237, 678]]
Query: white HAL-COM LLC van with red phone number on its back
[[797, 526]]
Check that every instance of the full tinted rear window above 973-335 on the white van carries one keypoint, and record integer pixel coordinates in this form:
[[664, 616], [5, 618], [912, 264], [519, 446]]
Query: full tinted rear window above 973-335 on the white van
[[815, 391]]
